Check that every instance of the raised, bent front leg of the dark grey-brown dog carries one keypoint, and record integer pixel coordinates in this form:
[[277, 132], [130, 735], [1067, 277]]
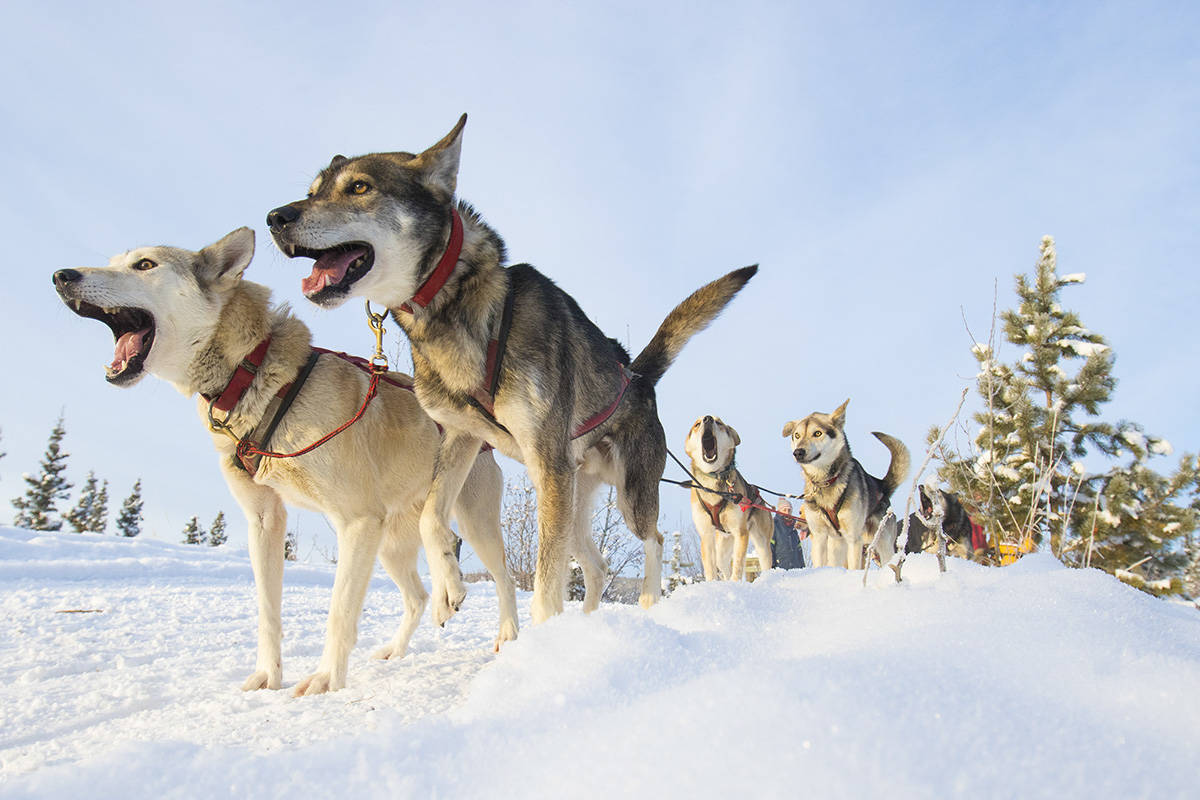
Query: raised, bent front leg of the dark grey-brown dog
[[455, 460]]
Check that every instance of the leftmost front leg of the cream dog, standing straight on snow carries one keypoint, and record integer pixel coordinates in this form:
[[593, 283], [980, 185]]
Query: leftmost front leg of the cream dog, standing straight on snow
[[268, 521]]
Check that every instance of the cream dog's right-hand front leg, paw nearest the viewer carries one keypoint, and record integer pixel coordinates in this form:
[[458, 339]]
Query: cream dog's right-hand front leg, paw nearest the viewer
[[358, 543]]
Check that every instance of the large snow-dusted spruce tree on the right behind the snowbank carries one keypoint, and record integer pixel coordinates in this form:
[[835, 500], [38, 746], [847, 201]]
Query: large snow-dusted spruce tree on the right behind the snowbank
[[1025, 480]]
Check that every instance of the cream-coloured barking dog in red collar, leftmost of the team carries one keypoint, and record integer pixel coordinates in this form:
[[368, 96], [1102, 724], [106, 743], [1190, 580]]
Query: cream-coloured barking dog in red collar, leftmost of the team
[[189, 318]]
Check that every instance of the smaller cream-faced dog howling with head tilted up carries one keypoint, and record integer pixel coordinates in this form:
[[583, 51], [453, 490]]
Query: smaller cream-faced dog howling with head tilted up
[[725, 530]]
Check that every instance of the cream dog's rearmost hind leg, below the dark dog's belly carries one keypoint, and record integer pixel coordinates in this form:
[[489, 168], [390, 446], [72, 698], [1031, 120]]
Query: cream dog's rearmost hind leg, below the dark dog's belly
[[478, 512]]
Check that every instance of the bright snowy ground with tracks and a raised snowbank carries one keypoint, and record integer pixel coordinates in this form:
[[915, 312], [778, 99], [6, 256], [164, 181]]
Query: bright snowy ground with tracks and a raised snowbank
[[1027, 682]]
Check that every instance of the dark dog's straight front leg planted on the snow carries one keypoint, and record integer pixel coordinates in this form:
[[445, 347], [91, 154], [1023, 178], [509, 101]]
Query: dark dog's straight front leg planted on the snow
[[555, 482]]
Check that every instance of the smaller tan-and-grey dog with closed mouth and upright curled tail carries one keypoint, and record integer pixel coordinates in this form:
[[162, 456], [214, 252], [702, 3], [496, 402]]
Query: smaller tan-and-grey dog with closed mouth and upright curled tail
[[843, 504]]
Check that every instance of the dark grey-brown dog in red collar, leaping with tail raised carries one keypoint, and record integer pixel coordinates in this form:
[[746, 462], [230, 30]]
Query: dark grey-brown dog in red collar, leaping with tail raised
[[501, 354]]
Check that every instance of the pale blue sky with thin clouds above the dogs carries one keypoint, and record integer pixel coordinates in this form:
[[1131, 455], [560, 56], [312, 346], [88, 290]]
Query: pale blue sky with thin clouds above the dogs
[[890, 167]]
